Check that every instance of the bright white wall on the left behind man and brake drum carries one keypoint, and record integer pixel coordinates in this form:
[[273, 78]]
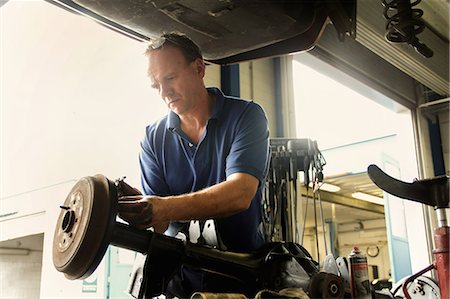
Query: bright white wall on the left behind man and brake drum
[[72, 104]]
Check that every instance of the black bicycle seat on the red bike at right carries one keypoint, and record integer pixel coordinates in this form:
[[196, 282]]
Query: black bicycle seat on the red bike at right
[[433, 192]]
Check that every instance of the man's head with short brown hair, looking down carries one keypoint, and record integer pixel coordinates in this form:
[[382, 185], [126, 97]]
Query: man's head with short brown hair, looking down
[[176, 70]]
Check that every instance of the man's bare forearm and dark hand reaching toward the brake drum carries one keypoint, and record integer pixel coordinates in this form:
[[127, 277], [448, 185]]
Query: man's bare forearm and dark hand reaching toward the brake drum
[[224, 199]]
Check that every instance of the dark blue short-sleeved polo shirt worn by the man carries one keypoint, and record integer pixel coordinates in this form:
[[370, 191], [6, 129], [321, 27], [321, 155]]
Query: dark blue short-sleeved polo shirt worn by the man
[[236, 140]]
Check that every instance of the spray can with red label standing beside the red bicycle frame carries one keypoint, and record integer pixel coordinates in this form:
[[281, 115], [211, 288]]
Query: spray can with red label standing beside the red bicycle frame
[[359, 275]]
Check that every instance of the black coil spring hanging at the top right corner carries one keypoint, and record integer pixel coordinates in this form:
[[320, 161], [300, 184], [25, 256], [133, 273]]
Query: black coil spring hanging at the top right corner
[[404, 24]]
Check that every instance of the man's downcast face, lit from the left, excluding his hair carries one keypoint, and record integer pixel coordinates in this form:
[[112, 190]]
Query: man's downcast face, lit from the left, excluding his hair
[[178, 81]]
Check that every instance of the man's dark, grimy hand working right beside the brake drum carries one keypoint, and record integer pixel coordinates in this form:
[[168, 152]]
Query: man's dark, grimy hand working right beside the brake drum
[[138, 211]]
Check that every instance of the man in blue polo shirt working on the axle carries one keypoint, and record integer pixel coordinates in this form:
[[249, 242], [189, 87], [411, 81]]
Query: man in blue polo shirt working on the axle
[[206, 159]]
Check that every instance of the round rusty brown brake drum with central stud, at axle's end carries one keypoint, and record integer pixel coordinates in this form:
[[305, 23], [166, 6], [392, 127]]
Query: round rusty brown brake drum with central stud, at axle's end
[[84, 226]]
